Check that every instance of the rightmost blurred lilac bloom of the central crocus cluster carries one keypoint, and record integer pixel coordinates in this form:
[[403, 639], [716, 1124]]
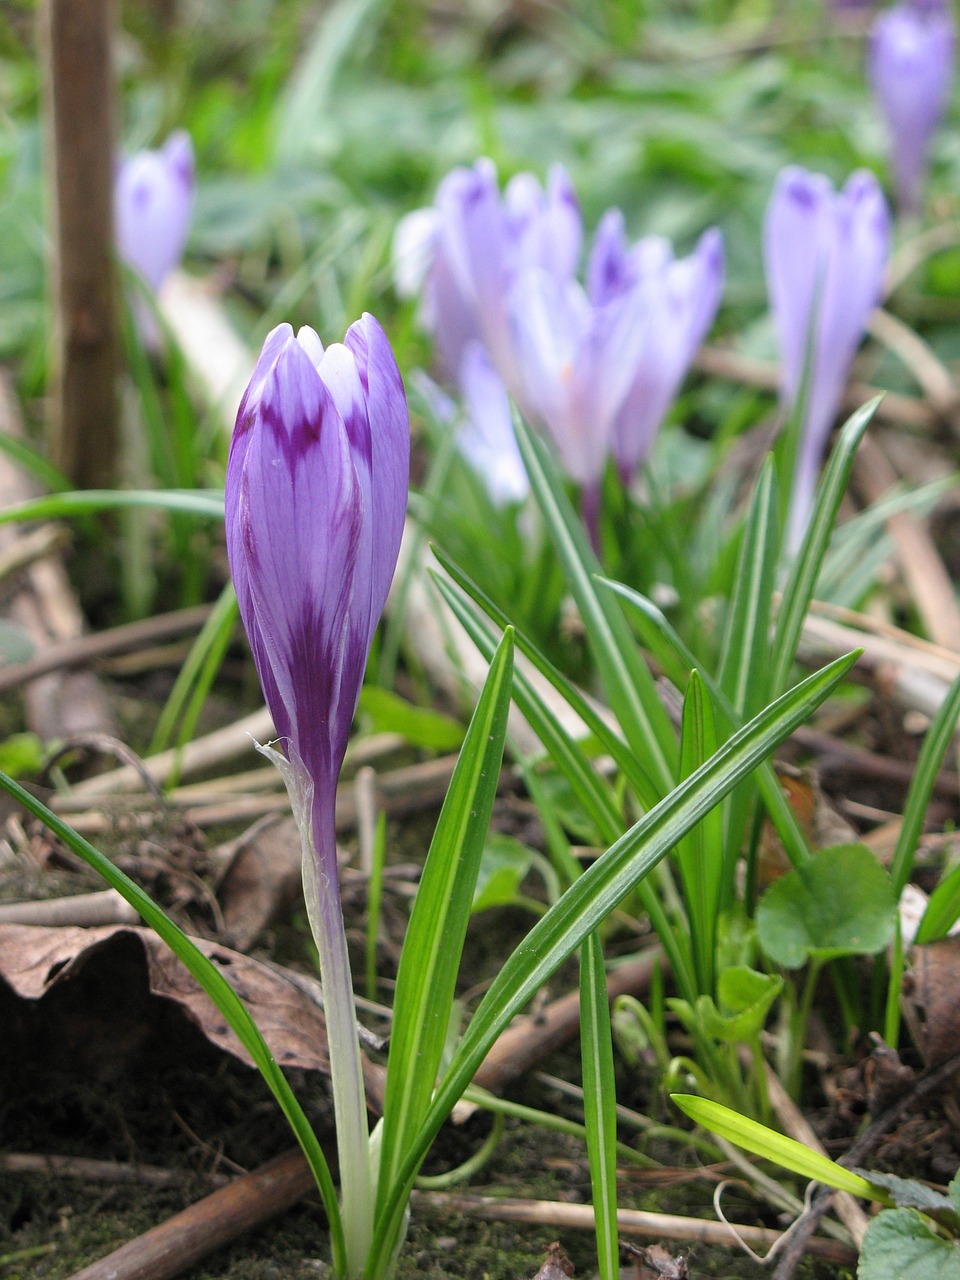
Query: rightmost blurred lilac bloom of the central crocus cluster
[[678, 304]]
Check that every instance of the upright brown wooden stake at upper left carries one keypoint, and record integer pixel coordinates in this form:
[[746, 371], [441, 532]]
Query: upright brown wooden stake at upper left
[[84, 432]]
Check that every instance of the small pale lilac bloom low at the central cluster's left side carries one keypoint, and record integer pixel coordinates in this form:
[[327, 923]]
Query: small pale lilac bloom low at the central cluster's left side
[[487, 440]]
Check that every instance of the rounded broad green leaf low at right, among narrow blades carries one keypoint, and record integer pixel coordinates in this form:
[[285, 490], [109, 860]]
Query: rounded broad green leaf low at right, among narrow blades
[[843, 904]]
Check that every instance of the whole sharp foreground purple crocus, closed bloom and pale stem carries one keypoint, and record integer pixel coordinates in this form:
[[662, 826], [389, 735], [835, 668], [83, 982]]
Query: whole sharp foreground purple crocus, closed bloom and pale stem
[[316, 500]]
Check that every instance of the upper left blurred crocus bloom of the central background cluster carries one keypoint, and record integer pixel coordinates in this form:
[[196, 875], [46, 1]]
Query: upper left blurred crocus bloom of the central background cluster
[[473, 244]]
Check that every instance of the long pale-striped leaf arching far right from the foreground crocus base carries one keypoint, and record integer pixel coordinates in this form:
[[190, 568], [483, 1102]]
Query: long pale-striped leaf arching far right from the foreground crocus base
[[583, 908]]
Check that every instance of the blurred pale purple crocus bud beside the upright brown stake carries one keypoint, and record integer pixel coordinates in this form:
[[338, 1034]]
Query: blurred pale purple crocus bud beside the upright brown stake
[[153, 209]]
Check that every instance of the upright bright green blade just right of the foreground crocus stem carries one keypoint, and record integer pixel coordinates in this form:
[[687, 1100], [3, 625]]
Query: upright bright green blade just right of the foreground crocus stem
[[438, 924]]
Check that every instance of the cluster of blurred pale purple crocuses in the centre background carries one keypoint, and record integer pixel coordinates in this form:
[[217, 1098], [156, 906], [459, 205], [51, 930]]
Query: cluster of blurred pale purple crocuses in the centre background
[[596, 367]]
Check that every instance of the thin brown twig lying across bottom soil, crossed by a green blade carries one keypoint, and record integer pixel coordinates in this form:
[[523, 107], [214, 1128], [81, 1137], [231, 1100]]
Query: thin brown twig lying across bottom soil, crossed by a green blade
[[661, 1227]]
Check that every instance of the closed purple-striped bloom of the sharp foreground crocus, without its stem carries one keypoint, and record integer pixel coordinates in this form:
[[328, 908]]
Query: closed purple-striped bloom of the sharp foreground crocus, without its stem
[[316, 499]]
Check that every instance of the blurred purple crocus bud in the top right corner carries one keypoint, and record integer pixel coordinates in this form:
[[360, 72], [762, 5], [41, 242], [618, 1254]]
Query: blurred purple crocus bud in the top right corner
[[911, 66]]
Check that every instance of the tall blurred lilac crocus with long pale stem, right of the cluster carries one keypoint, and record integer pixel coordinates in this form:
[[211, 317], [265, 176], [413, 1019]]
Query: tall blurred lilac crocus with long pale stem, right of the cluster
[[825, 253]]
